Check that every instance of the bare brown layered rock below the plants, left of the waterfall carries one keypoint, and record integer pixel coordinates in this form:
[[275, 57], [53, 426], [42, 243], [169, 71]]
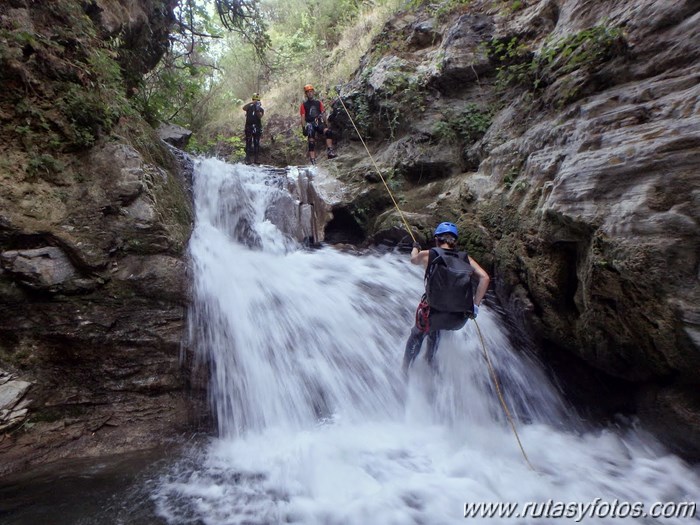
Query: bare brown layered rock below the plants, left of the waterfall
[[93, 291]]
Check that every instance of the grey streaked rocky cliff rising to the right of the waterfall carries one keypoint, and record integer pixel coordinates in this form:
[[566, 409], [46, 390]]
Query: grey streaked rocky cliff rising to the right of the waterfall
[[563, 137]]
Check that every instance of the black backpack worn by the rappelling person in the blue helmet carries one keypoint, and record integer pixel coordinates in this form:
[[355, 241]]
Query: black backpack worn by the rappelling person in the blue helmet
[[448, 281]]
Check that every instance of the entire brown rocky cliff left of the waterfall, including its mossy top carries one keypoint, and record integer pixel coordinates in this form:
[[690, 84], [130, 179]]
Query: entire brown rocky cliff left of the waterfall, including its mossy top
[[94, 221]]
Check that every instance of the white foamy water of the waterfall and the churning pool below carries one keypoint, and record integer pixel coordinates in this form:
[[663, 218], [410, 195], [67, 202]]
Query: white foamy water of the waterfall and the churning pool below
[[316, 424]]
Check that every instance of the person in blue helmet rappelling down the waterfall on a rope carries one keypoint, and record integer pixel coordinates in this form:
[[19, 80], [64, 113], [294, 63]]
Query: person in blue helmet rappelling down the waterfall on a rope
[[449, 299]]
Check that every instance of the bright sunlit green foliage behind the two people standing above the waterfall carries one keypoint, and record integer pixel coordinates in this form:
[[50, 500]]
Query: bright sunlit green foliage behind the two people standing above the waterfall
[[308, 41]]
